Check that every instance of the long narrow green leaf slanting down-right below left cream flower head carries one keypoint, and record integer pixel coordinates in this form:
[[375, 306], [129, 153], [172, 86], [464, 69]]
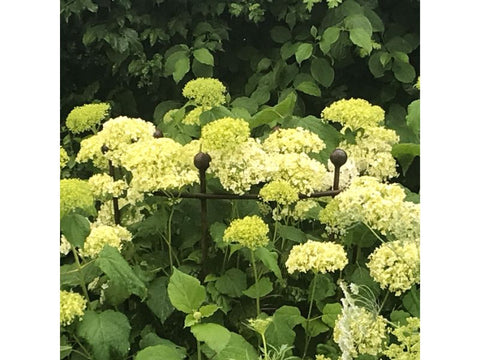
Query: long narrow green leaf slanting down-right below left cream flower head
[[117, 269]]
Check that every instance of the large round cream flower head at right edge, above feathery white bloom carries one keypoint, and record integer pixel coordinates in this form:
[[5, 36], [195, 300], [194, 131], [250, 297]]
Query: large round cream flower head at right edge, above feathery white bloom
[[395, 265]]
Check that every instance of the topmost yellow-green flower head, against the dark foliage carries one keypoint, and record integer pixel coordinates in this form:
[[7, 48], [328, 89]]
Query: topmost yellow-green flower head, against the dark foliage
[[205, 92]]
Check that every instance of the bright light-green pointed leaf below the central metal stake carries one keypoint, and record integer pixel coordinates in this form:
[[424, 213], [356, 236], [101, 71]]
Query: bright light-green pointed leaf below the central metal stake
[[185, 292]]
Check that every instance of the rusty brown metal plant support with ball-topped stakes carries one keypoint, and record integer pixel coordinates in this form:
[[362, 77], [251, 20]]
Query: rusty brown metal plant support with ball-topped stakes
[[202, 163]]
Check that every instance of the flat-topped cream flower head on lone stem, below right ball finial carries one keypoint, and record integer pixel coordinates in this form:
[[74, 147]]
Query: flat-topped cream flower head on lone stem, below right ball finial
[[317, 257]]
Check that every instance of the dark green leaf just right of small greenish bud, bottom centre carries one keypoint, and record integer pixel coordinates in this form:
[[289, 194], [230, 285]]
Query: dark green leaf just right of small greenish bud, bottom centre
[[280, 331]]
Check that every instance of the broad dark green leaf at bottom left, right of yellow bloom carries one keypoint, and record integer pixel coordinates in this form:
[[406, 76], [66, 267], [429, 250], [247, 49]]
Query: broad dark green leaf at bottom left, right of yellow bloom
[[107, 333]]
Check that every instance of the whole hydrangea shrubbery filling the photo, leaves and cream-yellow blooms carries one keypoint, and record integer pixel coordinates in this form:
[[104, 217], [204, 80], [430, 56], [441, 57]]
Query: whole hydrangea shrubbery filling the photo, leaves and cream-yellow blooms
[[280, 277]]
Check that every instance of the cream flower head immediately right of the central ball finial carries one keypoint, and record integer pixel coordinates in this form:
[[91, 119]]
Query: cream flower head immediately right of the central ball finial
[[248, 164]]
